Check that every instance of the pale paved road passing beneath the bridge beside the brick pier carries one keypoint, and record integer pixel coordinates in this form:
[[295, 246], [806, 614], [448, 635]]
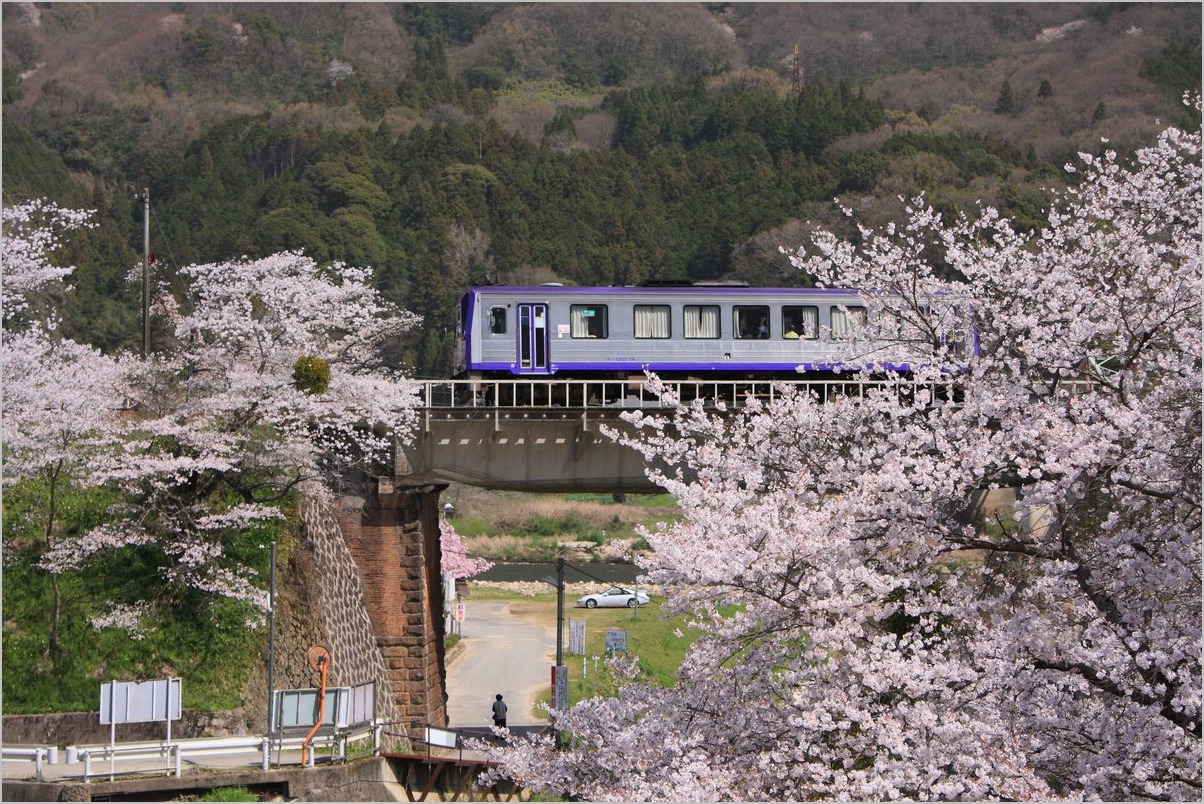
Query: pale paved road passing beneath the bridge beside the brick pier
[[503, 654]]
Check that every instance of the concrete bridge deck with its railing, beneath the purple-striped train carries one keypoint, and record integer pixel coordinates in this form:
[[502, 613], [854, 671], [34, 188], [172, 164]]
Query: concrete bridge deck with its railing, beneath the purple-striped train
[[545, 435]]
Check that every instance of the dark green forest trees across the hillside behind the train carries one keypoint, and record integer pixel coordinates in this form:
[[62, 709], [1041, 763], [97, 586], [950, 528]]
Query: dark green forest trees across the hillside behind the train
[[697, 169]]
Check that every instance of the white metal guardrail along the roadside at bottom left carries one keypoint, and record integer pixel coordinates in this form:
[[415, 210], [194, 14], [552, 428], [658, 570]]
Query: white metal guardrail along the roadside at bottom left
[[174, 754]]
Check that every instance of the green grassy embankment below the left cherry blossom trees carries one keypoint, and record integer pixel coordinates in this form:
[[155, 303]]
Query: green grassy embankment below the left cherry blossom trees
[[213, 654]]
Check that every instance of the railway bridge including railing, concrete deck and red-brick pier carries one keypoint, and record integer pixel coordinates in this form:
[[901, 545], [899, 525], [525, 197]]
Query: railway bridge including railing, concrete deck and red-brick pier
[[536, 435]]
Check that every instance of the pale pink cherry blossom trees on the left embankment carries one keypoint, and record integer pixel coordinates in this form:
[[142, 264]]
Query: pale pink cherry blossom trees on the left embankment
[[274, 383]]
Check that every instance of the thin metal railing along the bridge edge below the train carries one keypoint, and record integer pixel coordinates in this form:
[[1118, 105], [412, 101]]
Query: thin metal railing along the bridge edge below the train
[[611, 395]]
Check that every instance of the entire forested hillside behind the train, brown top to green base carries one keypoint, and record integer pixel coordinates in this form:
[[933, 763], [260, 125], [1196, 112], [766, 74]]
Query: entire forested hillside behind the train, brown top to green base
[[447, 144]]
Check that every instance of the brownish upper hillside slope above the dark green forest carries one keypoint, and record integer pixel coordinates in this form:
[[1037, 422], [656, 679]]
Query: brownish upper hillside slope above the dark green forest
[[162, 73]]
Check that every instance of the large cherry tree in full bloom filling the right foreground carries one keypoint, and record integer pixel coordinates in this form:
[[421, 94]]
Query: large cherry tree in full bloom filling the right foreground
[[861, 636]]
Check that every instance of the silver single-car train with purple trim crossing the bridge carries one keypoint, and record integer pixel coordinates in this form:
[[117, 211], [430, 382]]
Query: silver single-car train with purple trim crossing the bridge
[[678, 333]]
